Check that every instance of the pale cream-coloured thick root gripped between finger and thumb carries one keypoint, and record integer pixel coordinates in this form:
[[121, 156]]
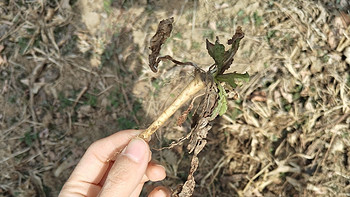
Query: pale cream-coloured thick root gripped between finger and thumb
[[191, 89]]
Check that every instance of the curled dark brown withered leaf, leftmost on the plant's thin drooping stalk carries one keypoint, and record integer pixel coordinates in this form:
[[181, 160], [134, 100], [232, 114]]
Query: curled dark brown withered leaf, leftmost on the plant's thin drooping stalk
[[163, 32]]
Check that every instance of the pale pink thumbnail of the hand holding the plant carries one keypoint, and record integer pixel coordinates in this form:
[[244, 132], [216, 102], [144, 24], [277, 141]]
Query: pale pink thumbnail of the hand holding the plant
[[136, 149]]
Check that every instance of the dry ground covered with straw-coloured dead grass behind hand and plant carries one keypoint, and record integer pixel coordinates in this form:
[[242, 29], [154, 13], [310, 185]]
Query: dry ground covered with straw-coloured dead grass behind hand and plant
[[72, 72]]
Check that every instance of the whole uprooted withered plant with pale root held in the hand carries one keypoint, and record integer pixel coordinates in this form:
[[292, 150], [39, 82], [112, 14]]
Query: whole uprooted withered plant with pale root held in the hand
[[211, 106]]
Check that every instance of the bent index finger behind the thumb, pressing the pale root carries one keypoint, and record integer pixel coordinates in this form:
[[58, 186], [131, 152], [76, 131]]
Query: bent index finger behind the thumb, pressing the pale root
[[94, 163]]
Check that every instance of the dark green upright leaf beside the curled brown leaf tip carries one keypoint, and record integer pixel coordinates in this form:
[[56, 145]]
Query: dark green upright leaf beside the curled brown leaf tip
[[217, 52]]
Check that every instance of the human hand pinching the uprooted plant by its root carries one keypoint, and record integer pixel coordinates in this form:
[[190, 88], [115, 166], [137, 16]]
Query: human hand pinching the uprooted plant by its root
[[100, 173]]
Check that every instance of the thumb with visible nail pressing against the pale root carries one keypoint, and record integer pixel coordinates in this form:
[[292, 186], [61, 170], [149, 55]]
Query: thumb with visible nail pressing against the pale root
[[127, 170]]
